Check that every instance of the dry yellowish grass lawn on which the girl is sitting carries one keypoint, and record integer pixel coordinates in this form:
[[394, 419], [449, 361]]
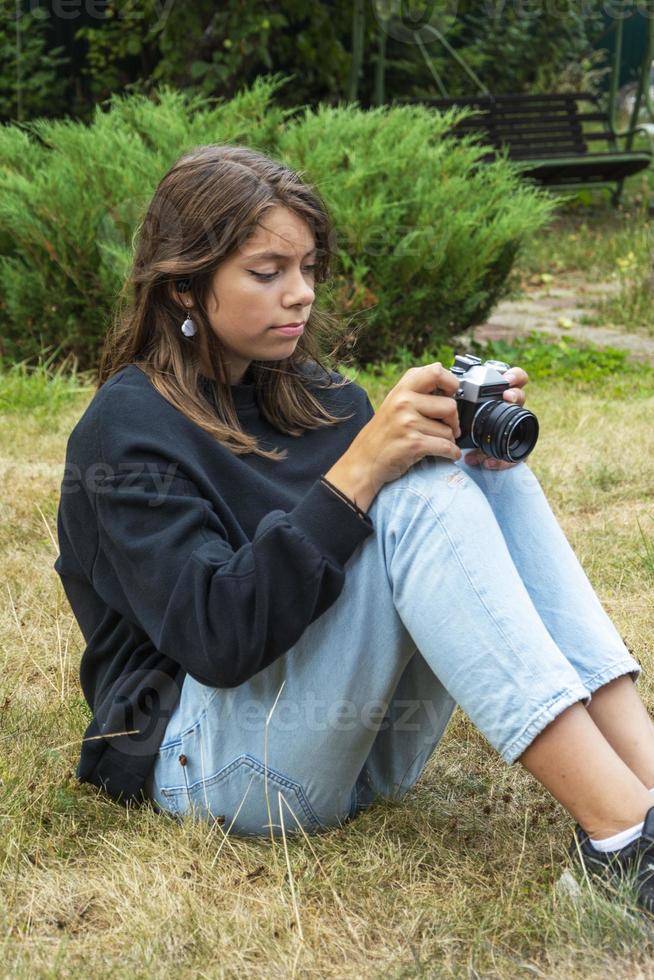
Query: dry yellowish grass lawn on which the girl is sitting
[[459, 879]]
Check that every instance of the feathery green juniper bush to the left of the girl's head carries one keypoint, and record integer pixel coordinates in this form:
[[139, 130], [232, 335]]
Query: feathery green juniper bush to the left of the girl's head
[[71, 196]]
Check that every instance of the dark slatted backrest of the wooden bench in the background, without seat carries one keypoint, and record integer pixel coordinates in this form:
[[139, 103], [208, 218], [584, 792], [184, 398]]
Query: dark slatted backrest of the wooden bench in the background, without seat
[[532, 126]]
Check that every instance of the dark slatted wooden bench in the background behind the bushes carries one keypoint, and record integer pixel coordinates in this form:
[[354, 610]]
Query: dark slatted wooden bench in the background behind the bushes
[[549, 137]]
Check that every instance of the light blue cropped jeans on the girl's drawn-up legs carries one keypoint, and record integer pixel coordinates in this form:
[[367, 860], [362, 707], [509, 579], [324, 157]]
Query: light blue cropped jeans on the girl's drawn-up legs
[[467, 593]]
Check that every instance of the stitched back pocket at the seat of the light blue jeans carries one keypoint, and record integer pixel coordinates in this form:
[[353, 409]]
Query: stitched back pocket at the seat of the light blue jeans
[[247, 797]]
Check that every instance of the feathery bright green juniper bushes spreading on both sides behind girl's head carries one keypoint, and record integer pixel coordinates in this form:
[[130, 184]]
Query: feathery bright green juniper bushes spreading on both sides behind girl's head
[[425, 234]]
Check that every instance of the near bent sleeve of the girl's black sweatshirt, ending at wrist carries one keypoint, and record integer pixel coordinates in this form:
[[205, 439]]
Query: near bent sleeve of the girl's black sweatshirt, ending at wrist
[[222, 614]]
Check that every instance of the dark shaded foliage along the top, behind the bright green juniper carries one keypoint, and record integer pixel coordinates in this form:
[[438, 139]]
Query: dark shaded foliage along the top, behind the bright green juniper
[[127, 46]]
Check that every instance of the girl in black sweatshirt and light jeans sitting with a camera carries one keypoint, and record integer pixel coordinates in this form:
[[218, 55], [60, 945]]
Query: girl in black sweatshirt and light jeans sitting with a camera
[[284, 594]]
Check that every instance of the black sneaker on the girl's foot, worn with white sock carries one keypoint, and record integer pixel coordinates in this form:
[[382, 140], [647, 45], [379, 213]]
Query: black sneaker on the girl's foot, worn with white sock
[[634, 862]]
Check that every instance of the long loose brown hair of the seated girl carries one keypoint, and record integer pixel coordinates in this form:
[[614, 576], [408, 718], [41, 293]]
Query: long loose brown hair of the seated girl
[[208, 205]]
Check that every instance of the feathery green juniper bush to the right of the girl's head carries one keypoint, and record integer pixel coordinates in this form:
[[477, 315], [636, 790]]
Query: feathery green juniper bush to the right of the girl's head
[[427, 236]]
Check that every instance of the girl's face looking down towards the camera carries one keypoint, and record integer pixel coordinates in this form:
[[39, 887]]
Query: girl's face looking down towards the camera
[[267, 283]]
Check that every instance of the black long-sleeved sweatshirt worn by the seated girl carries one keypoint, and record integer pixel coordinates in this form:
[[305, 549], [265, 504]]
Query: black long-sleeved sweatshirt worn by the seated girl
[[178, 556]]
